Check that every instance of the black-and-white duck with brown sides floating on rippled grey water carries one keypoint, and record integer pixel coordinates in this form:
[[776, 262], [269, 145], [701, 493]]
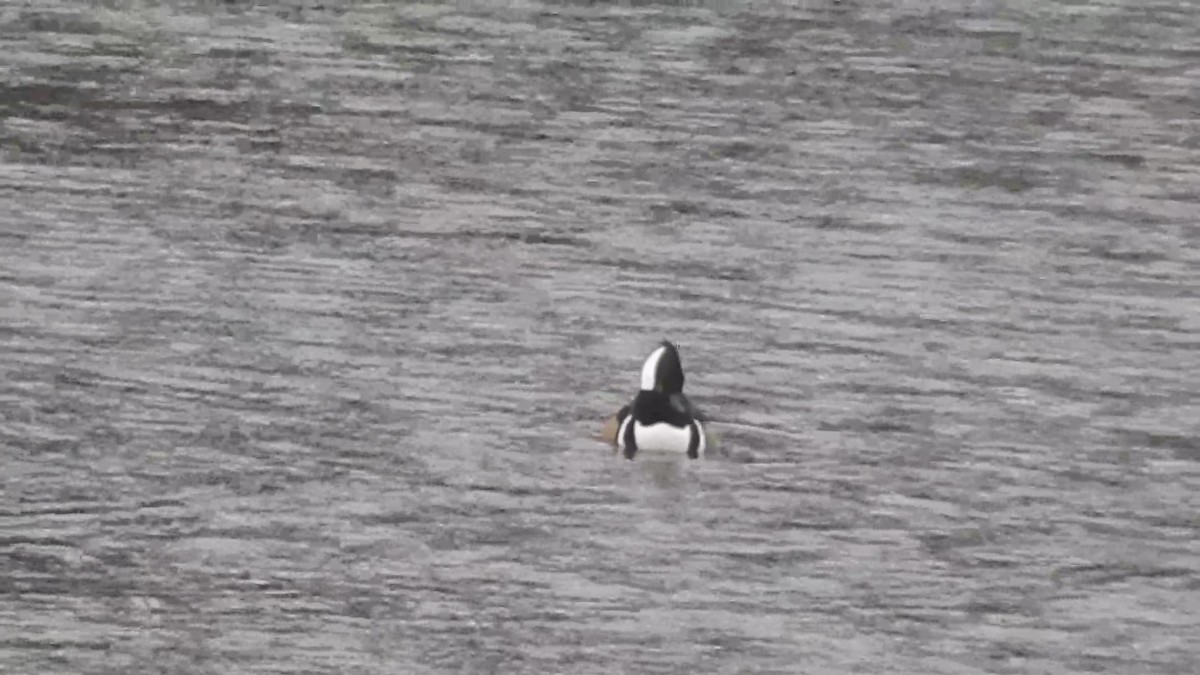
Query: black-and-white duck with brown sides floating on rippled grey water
[[661, 419]]
